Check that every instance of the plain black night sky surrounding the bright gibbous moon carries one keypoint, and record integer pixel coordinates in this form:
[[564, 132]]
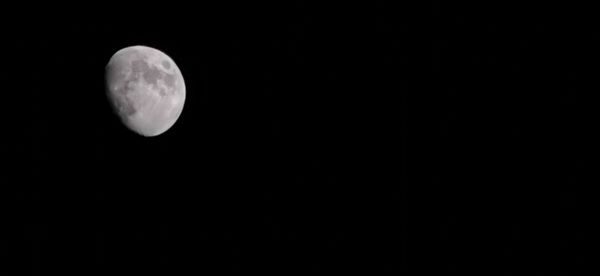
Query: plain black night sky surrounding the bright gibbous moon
[[313, 138]]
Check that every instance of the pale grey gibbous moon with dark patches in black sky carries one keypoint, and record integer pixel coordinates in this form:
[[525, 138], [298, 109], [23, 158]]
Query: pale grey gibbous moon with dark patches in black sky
[[145, 89]]
